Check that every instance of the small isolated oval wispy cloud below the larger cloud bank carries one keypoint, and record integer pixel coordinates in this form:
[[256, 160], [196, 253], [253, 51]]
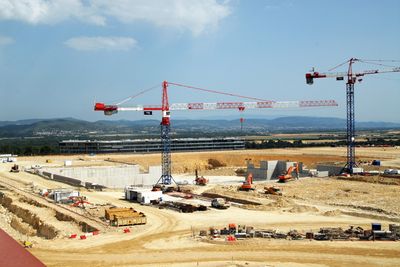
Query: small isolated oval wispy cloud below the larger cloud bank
[[101, 43]]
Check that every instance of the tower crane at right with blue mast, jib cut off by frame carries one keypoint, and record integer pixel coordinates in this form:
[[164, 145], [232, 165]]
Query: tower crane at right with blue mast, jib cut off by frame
[[352, 78]]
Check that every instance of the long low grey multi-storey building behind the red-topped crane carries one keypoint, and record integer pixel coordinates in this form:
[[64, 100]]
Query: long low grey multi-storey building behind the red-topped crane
[[149, 145]]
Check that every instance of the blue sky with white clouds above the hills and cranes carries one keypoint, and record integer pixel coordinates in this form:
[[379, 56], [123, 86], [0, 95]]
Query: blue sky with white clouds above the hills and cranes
[[57, 57]]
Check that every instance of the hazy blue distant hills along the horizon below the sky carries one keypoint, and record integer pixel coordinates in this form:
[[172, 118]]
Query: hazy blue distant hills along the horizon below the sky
[[75, 127]]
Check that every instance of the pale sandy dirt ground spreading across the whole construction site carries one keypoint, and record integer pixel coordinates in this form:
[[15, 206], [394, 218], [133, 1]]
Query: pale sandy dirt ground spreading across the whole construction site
[[170, 238]]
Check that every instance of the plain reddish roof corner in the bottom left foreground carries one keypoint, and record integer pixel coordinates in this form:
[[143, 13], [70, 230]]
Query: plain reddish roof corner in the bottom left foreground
[[13, 254]]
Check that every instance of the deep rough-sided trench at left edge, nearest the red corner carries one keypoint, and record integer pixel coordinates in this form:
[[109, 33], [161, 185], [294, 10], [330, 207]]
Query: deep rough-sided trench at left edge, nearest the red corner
[[27, 222]]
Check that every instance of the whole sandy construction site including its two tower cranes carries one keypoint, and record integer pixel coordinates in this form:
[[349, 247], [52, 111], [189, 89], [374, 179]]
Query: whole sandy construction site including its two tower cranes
[[201, 208]]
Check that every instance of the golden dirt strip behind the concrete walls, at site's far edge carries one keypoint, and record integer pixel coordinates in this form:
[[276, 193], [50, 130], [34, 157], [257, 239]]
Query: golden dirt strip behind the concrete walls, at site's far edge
[[188, 162]]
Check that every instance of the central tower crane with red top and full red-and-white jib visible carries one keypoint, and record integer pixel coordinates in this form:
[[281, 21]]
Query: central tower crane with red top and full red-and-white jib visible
[[165, 108]]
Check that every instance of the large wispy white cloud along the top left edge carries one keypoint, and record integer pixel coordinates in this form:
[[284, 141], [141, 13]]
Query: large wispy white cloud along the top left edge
[[193, 15]]
